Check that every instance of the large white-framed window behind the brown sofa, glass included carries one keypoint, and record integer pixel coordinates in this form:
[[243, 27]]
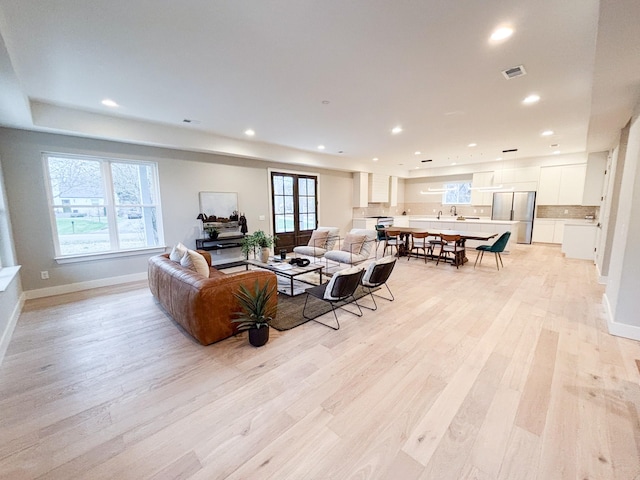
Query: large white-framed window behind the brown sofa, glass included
[[101, 206]]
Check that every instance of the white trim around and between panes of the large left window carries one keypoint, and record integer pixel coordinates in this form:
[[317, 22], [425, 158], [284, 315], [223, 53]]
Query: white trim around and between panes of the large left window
[[109, 202]]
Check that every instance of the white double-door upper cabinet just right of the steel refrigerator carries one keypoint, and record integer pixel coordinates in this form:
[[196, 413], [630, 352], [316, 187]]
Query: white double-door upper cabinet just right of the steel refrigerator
[[561, 185]]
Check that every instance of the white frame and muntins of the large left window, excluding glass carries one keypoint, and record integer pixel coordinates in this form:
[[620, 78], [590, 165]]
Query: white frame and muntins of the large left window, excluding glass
[[110, 205]]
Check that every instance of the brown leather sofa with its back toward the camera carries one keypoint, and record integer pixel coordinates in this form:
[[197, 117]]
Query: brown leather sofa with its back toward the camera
[[204, 307]]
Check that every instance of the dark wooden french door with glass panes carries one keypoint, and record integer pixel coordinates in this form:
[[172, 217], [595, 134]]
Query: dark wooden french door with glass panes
[[295, 209]]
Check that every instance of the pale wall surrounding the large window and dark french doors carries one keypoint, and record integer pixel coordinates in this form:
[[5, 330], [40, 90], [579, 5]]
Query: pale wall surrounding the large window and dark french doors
[[182, 175]]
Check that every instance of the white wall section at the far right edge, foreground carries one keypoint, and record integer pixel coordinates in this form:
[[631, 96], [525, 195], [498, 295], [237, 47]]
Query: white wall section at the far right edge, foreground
[[623, 284]]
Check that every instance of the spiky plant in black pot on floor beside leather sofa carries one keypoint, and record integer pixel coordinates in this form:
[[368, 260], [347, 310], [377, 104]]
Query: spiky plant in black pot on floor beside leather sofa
[[256, 312]]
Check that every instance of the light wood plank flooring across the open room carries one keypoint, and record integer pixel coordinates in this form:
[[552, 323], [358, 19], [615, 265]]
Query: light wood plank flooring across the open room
[[469, 374]]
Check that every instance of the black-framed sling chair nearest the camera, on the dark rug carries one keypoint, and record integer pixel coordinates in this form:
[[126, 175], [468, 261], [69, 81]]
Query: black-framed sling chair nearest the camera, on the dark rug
[[337, 293]]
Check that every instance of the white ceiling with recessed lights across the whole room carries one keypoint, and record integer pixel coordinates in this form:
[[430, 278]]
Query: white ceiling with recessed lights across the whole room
[[269, 65]]
